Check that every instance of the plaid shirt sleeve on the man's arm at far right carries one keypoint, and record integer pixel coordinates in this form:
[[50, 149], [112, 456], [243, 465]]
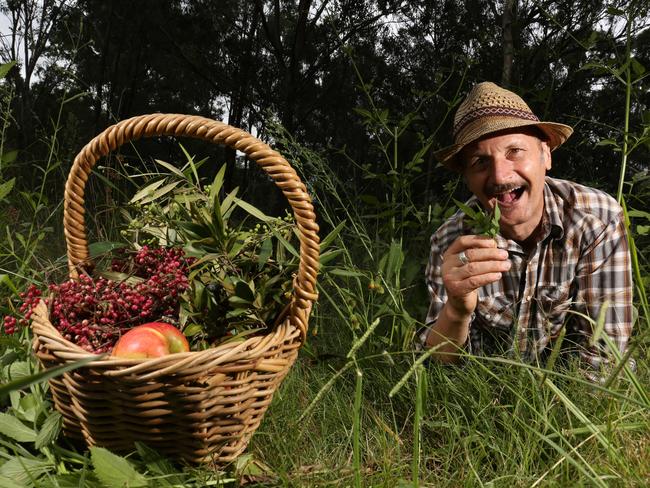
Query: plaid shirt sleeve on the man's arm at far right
[[604, 278]]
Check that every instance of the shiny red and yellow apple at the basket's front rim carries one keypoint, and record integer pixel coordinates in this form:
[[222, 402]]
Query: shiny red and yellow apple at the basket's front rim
[[151, 340]]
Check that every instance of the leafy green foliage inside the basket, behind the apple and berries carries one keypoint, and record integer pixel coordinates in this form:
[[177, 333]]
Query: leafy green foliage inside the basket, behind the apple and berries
[[241, 280]]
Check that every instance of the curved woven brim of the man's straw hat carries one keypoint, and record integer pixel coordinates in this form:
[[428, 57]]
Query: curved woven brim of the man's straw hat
[[557, 134]]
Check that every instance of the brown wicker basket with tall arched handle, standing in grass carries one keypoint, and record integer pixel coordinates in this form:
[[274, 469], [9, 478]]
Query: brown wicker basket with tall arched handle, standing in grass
[[200, 406]]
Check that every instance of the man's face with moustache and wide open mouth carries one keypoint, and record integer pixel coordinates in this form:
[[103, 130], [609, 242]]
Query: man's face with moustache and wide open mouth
[[509, 167]]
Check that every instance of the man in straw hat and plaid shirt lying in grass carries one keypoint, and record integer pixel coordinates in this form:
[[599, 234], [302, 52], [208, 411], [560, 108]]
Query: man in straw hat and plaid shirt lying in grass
[[562, 249]]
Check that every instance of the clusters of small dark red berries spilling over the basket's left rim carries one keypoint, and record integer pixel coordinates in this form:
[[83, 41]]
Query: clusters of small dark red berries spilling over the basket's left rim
[[93, 313]]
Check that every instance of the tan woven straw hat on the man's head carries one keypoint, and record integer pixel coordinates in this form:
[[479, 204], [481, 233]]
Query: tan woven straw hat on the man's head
[[489, 108]]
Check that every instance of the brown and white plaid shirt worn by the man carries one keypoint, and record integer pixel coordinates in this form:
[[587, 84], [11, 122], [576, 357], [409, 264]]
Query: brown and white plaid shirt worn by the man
[[581, 261]]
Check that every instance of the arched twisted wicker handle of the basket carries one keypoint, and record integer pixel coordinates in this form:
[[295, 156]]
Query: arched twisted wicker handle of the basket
[[197, 127]]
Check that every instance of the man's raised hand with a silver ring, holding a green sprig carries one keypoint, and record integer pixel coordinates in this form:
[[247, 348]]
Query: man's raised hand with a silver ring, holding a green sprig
[[482, 263]]
